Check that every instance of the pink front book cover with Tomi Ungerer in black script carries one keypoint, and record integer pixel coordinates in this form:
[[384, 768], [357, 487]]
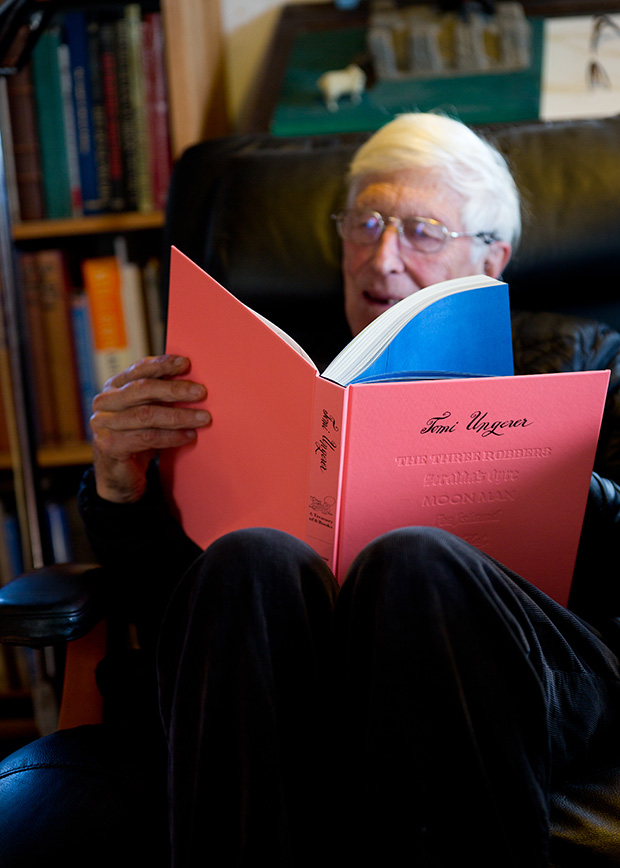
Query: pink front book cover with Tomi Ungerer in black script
[[503, 462]]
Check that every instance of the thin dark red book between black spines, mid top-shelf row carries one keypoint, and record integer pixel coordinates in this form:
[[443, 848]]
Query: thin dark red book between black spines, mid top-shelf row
[[107, 62]]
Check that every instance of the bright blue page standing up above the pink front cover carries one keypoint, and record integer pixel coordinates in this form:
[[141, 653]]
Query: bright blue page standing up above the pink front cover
[[467, 332]]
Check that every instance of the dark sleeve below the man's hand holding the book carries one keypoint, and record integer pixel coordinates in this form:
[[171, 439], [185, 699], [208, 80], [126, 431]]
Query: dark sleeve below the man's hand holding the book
[[143, 548]]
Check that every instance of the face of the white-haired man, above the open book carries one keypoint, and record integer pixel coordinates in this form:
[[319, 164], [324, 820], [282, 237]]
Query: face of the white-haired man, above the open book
[[378, 275]]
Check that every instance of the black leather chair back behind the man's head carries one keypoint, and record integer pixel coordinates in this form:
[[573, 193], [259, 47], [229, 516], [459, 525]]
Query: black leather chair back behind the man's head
[[254, 211]]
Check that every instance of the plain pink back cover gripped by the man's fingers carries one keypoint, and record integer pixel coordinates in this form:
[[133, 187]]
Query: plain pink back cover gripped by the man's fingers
[[249, 468]]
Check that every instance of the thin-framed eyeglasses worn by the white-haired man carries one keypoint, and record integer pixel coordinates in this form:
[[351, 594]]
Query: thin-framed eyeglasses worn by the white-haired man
[[422, 234]]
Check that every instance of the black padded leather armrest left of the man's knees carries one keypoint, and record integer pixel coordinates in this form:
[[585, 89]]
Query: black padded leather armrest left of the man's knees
[[51, 605]]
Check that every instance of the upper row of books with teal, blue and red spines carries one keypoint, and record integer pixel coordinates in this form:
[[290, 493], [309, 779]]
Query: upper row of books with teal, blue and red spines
[[87, 117]]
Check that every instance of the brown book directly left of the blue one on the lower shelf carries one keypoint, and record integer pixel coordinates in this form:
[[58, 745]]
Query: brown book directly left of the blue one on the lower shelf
[[54, 290]]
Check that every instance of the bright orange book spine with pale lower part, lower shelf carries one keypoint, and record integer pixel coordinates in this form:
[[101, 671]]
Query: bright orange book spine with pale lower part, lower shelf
[[102, 283]]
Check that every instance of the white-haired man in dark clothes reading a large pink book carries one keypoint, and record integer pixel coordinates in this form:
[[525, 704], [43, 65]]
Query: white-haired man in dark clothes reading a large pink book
[[425, 713]]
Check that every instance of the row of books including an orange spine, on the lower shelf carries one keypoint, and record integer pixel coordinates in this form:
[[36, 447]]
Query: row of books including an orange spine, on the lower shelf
[[80, 335]]
